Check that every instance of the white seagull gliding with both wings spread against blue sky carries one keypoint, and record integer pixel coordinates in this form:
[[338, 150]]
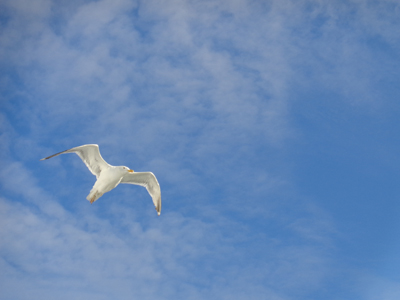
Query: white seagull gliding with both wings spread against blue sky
[[108, 177]]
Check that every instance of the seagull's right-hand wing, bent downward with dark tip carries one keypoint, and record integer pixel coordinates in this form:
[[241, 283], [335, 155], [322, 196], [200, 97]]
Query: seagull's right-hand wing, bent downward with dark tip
[[149, 181]]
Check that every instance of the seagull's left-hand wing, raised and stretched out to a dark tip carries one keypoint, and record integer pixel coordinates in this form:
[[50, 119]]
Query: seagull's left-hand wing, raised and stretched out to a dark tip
[[90, 155]]
